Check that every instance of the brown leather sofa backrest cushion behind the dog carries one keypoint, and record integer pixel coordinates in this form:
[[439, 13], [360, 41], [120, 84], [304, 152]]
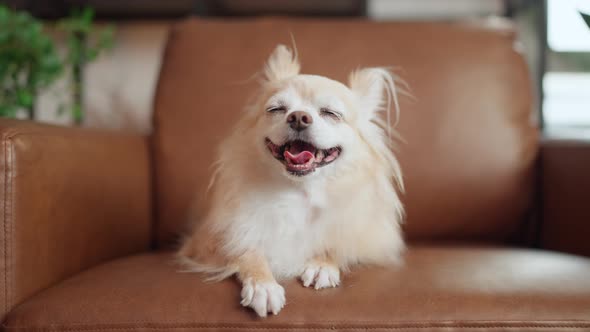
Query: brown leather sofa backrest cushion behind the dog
[[470, 145]]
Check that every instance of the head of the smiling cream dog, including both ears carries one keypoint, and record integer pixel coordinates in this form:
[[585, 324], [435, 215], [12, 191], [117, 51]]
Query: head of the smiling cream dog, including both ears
[[308, 125]]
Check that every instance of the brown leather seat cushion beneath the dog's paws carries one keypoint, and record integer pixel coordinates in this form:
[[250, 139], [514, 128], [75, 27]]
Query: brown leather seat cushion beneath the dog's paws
[[439, 288]]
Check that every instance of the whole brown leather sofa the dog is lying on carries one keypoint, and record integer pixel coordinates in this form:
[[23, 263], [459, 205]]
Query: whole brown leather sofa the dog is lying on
[[498, 219]]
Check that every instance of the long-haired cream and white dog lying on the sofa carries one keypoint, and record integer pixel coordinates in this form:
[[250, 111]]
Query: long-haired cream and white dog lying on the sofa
[[307, 185]]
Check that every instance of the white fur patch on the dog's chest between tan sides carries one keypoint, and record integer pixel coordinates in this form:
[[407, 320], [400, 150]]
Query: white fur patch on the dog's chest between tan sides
[[288, 225]]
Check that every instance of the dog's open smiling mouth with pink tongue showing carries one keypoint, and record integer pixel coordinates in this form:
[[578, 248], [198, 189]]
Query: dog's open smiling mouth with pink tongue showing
[[301, 158]]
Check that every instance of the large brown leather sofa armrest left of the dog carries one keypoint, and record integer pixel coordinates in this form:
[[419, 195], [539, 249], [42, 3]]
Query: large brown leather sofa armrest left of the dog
[[69, 199]]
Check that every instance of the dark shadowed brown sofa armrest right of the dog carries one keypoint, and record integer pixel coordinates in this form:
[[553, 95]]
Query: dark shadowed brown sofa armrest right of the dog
[[565, 165]]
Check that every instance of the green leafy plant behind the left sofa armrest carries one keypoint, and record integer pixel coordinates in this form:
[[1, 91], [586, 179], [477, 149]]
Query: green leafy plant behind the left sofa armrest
[[29, 61]]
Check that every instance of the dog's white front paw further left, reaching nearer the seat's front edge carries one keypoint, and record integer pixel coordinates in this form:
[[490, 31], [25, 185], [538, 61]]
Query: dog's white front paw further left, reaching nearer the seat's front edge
[[263, 297]]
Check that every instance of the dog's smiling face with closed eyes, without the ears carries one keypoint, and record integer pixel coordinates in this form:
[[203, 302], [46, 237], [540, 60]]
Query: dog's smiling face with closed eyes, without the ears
[[307, 123]]
